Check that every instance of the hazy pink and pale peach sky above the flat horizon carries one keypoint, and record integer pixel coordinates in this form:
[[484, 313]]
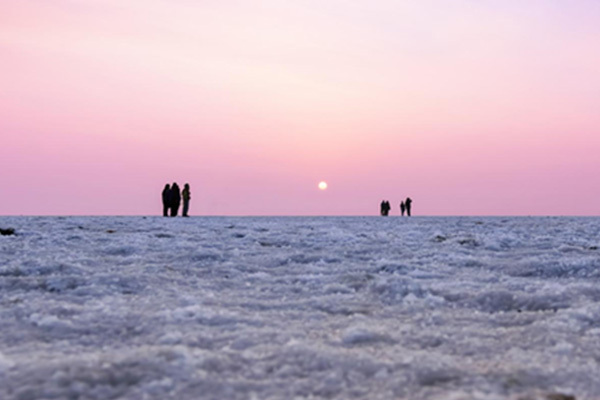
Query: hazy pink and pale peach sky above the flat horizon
[[468, 107]]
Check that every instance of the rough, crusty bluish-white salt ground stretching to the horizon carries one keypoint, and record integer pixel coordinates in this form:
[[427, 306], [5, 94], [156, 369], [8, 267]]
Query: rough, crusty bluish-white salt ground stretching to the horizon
[[294, 308]]
